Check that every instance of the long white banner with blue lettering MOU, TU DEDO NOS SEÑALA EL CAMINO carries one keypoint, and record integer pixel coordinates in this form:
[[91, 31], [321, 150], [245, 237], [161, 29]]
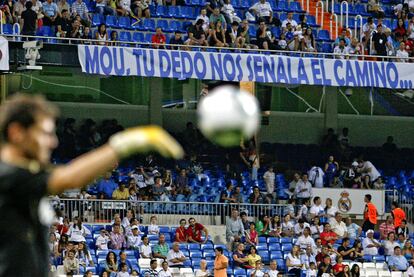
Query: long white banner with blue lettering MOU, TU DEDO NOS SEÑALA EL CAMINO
[[123, 61]]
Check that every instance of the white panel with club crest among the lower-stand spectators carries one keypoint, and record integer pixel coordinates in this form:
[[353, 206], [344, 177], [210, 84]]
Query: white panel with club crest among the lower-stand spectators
[[351, 201]]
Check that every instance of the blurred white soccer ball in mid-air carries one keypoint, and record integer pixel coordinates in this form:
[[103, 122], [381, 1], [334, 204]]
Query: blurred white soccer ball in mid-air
[[227, 115]]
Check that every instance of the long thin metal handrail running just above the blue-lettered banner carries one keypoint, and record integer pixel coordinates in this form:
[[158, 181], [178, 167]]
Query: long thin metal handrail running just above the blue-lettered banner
[[245, 50]]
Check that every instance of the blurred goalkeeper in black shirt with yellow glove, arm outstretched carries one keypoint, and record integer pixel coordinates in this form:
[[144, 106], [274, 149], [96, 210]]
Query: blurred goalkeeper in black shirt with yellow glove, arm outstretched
[[27, 133]]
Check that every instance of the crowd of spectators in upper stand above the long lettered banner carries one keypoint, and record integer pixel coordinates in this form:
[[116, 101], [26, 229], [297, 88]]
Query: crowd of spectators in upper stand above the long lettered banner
[[219, 24]]
